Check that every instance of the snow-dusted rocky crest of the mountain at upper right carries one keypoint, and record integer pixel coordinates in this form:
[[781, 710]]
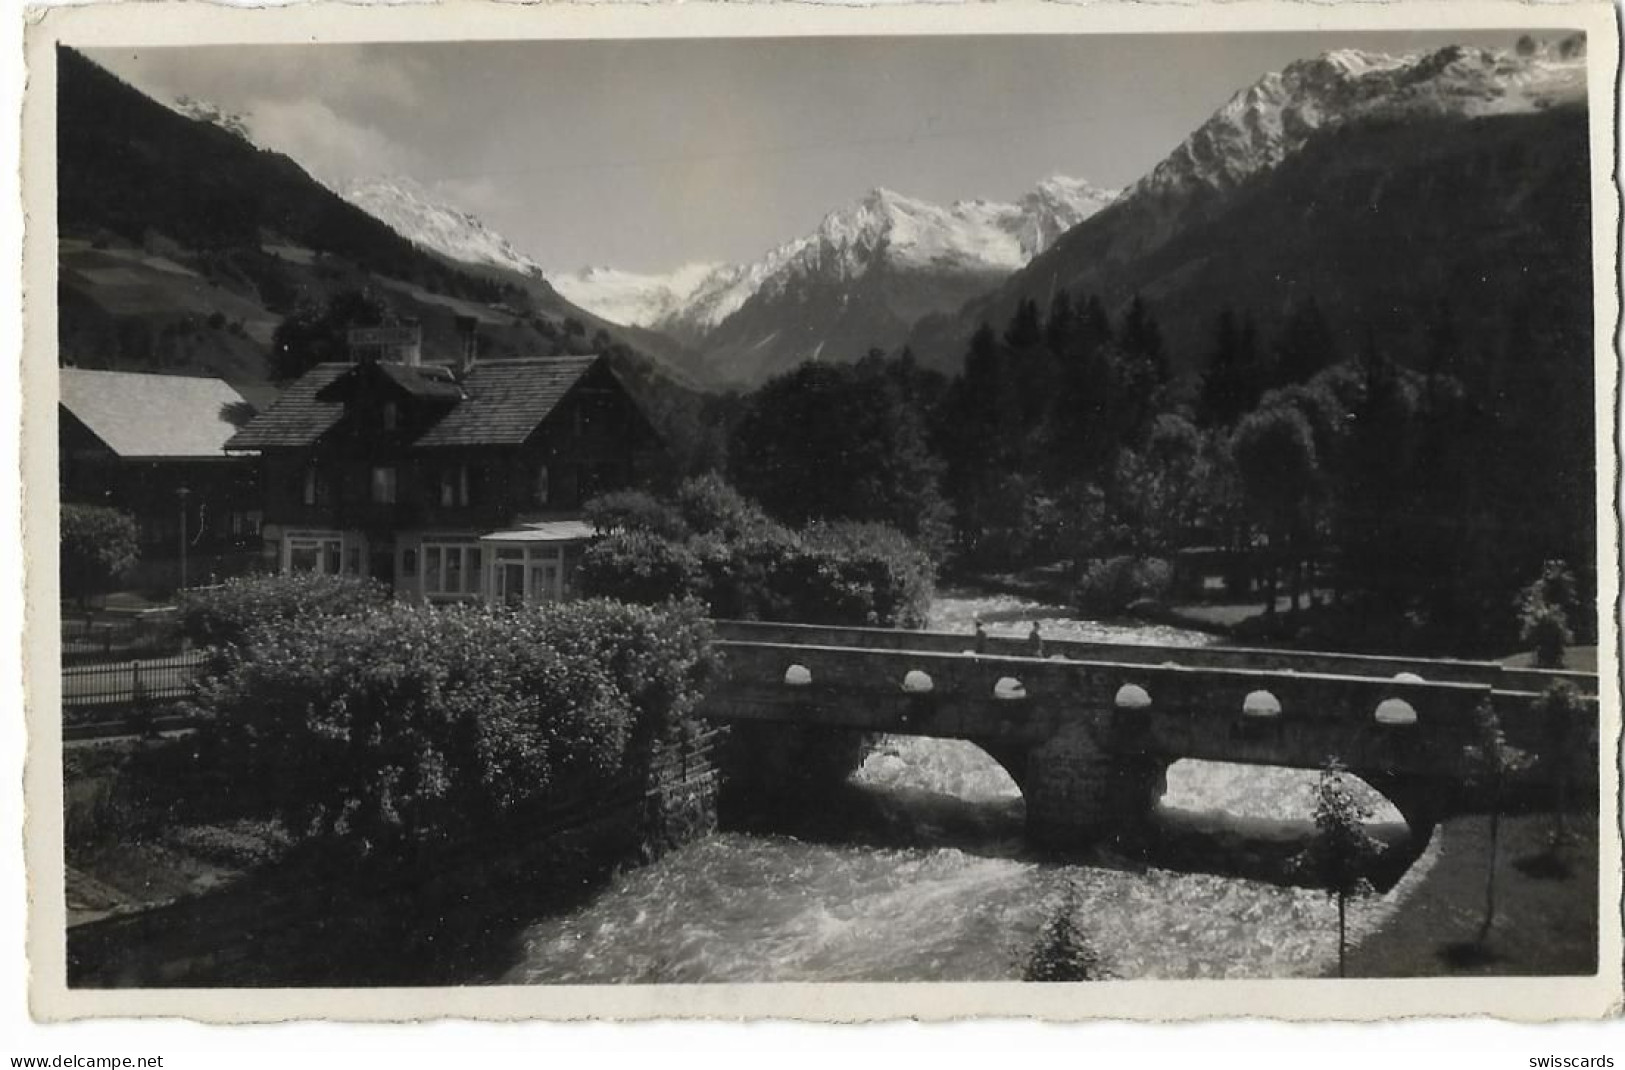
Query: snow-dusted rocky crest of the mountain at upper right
[[1241, 146]]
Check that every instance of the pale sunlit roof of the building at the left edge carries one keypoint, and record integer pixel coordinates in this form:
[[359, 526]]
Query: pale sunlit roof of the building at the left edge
[[155, 417]]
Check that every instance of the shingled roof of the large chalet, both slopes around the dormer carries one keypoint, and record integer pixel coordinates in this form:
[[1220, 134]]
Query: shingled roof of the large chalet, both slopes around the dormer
[[500, 404]]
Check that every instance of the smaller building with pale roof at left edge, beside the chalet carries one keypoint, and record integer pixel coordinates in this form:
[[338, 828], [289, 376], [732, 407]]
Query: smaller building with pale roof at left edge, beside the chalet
[[155, 446]]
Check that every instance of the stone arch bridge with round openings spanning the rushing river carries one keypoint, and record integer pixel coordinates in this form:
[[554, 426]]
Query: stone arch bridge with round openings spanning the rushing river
[[1088, 731]]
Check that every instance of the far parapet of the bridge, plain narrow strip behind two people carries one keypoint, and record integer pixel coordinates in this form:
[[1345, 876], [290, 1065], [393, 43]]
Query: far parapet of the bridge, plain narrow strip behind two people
[[1444, 671]]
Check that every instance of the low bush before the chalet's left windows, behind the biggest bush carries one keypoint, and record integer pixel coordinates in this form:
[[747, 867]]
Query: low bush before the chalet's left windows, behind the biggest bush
[[227, 614]]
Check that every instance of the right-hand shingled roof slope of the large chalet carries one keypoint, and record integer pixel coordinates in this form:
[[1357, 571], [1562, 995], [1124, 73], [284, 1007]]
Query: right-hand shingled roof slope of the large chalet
[[506, 401]]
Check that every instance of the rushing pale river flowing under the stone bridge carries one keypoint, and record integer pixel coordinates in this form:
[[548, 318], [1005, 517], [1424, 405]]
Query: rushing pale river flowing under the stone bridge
[[921, 874]]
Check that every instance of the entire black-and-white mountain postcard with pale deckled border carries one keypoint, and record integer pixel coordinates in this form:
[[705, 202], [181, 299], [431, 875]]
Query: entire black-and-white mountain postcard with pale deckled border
[[609, 513]]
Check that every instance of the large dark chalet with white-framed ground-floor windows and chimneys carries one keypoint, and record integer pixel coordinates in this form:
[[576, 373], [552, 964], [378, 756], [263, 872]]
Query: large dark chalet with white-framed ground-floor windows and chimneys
[[451, 485]]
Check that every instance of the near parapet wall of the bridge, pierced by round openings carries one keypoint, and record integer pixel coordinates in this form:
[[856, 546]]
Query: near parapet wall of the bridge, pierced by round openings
[[1259, 716]]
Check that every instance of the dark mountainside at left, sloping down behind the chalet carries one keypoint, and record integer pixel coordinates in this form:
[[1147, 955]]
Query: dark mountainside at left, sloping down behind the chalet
[[184, 245]]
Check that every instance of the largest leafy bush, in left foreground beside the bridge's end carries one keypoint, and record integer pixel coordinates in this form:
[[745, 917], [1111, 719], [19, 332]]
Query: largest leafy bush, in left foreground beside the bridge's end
[[401, 729]]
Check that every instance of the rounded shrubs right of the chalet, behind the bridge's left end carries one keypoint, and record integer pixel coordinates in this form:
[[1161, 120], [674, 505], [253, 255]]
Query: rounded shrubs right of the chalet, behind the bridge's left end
[[742, 565]]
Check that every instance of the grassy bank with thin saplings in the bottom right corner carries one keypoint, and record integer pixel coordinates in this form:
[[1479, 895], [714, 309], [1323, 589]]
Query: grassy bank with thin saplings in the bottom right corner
[[1546, 921]]
